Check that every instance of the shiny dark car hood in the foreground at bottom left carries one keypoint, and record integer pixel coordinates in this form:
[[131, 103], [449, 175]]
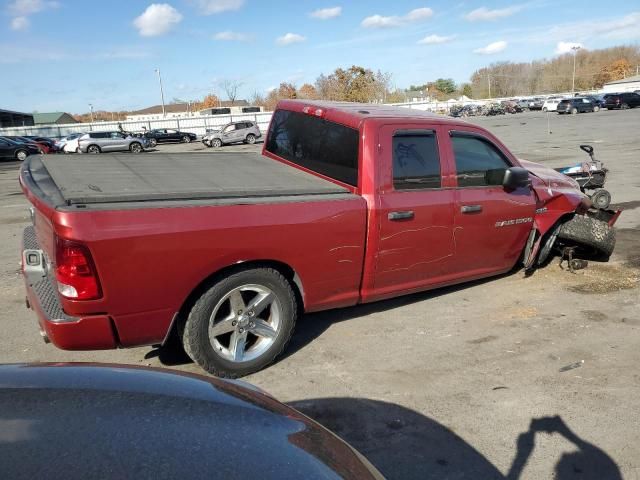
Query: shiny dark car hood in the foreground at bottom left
[[107, 421]]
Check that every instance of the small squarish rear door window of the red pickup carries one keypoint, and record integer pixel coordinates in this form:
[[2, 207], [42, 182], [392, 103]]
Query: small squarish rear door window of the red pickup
[[416, 164]]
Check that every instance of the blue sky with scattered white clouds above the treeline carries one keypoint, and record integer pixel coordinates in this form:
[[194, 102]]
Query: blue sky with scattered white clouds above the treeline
[[61, 55]]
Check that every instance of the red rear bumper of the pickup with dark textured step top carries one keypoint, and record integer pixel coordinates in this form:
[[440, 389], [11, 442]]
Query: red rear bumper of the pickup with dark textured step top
[[92, 332]]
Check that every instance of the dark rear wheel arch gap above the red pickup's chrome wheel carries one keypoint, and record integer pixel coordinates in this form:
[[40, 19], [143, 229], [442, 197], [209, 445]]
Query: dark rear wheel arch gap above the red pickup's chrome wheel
[[286, 270]]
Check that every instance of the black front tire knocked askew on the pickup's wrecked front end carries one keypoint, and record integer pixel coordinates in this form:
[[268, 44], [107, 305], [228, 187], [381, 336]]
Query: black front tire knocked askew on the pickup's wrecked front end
[[593, 237]]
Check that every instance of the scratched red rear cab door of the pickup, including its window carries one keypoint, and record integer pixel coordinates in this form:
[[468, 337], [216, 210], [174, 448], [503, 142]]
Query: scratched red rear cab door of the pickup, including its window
[[415, 245]]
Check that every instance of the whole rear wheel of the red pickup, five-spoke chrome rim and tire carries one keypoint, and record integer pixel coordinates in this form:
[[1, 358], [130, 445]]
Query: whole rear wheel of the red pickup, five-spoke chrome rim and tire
[[241, 324]]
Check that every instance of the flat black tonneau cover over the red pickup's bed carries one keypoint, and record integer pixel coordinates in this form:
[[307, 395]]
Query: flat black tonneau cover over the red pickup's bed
[[107, 178]]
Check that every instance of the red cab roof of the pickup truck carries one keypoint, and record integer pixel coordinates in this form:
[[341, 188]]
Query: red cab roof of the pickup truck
[[352, 114]]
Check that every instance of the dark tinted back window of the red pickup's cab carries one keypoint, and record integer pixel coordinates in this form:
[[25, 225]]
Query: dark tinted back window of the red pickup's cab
[[325, 147]]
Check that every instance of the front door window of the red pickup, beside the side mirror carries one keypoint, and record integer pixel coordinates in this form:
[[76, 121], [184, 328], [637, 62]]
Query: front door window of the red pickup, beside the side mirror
[[477, 160]]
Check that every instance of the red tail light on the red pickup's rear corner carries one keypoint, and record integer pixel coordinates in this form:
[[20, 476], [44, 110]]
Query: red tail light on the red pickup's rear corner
[[75, 271]]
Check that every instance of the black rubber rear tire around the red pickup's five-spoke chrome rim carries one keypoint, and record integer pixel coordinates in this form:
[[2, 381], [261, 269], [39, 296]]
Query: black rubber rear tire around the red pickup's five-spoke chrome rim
[[195, 334]]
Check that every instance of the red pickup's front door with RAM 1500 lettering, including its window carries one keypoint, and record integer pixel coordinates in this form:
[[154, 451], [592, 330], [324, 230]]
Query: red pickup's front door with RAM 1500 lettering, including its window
[[491, 224]]
